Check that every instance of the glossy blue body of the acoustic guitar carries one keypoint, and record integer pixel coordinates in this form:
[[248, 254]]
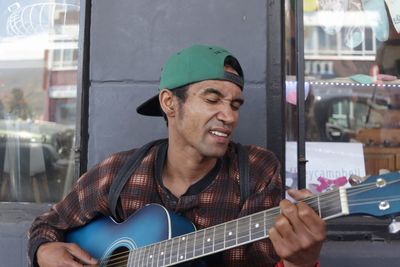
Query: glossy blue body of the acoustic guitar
[[149, 225]]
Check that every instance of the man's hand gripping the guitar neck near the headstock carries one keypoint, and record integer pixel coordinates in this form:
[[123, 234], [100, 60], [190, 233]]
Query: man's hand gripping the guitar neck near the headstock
[[298, 233]]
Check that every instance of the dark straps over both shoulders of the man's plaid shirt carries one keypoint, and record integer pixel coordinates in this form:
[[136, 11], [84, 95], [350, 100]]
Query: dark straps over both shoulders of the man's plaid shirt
[[133, 163]]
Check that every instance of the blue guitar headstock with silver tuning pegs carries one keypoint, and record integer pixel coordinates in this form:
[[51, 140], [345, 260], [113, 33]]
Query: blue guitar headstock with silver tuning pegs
[[378, 195]]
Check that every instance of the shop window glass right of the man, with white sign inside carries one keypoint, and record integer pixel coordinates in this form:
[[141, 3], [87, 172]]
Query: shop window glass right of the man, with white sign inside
[[352, 74]]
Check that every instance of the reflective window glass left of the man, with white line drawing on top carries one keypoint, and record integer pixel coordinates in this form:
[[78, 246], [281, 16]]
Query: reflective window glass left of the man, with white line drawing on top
[[38, 62]]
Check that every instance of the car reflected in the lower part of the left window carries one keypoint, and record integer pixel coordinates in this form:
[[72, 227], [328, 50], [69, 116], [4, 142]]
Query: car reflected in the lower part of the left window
[[34, 157]]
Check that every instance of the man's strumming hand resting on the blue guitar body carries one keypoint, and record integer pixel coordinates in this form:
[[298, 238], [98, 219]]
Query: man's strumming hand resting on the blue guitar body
[[63, 254]]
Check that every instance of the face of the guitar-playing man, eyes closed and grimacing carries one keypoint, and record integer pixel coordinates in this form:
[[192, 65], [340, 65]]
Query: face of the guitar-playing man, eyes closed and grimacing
[[204, 123]]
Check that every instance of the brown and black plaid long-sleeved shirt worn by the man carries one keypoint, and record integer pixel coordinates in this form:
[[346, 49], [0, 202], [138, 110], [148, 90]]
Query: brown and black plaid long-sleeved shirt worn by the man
[[212, 200]]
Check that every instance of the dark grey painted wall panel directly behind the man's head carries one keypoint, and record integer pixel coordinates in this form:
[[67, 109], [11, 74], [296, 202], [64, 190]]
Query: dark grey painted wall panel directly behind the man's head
[[129, 44]]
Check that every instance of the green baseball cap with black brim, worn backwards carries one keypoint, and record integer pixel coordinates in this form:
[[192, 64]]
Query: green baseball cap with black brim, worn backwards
[[193, 64]]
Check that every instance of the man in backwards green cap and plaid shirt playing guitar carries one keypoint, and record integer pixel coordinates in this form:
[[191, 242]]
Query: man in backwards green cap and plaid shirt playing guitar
[[195, 173]]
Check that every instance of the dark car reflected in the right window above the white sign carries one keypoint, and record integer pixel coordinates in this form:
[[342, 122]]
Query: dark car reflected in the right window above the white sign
[[340, 108]]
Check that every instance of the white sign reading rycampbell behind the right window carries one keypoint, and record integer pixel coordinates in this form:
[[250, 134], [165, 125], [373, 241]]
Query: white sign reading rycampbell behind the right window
[[329, 164]]
